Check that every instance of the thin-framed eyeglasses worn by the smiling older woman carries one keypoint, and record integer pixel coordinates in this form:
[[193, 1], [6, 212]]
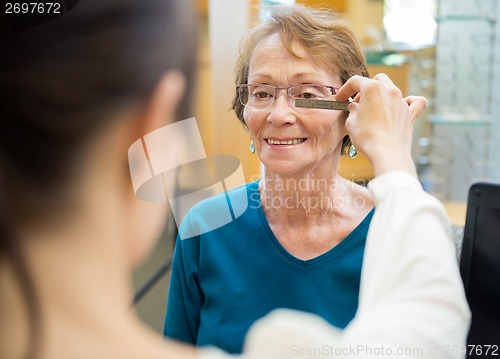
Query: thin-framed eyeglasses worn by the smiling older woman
[[263, 96]]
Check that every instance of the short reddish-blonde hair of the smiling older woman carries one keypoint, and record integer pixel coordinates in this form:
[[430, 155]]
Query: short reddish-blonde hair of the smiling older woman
[[324, 33]]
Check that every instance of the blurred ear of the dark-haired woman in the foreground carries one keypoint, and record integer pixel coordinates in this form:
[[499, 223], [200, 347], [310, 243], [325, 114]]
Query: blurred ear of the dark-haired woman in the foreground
[[163, 102]]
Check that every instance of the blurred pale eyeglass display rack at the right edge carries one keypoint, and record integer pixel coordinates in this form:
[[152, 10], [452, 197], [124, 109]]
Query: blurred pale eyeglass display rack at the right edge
[[465, 140]]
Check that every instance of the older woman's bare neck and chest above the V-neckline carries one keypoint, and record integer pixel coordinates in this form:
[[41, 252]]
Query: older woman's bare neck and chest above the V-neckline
[[312, 213]]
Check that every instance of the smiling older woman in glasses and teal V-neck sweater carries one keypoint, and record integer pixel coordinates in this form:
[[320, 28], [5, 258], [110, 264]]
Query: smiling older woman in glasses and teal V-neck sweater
[[300, 242]]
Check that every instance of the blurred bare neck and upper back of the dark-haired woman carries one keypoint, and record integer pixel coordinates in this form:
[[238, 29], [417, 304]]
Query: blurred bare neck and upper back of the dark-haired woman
[[84, 292]]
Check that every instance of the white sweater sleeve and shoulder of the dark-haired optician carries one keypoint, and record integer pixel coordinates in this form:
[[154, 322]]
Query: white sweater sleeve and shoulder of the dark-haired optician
[[412, 303]]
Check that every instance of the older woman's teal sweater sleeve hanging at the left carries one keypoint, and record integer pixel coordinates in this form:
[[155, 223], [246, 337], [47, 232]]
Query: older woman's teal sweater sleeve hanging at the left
[[185, 296]]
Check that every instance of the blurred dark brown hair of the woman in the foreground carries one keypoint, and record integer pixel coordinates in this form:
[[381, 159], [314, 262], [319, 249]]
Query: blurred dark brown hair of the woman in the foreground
[[60, 83]]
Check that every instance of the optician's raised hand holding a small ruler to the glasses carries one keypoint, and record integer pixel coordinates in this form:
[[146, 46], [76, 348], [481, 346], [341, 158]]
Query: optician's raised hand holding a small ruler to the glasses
[[380, 121]]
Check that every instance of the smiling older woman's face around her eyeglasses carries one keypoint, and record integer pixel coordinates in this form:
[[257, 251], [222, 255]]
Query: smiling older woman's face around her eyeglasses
[[318, 133]]
